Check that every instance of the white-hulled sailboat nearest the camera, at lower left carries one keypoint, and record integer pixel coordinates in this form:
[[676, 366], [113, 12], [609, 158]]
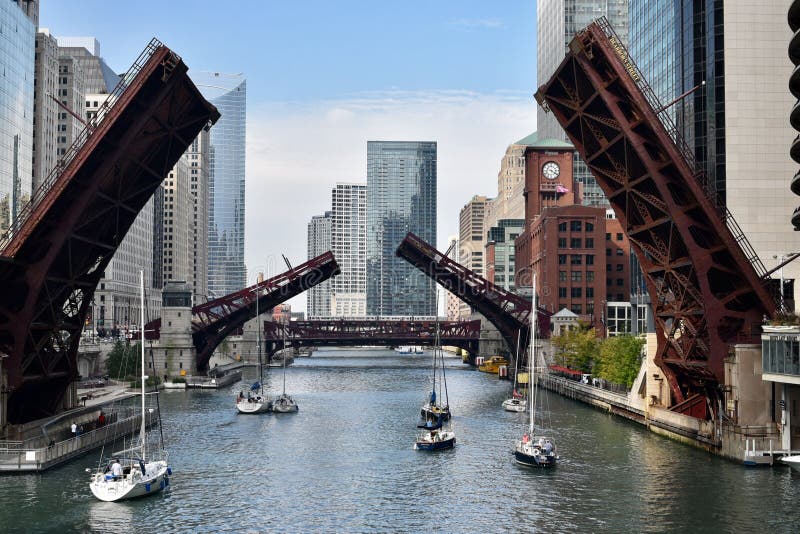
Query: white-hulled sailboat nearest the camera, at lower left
[[139, 475]]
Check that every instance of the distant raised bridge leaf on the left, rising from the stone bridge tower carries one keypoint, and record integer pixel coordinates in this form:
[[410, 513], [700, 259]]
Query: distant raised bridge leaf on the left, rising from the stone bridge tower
[[216, 319]]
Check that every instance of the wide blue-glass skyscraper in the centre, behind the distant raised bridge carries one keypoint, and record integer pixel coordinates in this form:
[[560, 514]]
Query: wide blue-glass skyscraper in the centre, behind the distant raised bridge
[[401, 198]]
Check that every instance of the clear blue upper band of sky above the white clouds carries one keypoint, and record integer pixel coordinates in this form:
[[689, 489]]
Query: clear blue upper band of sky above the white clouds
[[319, 49]]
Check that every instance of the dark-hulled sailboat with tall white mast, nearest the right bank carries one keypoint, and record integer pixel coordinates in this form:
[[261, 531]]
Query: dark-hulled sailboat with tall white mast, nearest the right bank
[[530, 450]]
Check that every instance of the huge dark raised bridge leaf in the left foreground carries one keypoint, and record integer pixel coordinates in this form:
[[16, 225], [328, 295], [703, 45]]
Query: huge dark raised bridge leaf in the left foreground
[[57, 250]]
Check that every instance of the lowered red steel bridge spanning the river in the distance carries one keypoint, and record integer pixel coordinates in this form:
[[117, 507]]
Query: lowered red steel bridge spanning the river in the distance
[[354, 333]]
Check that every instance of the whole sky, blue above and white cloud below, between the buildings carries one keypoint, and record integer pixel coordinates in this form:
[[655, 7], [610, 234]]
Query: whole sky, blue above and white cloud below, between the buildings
[[325, 77]]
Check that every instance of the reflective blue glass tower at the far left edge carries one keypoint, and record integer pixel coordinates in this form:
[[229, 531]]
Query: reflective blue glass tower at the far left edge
[[17, 42]]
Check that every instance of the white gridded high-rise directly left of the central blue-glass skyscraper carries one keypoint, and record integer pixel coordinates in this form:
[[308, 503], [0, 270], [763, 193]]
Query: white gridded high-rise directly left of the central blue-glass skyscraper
[[349, 245]]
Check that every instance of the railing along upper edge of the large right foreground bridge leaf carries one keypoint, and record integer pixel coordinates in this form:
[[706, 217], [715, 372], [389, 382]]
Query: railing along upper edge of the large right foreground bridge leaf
[[683, 148]]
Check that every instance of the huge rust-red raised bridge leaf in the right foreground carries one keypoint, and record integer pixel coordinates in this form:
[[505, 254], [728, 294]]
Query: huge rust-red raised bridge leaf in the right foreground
[[701, 273]]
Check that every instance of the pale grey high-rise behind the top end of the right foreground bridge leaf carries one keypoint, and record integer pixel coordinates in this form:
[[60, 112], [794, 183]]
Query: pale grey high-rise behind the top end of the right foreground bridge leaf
[[557, 23]]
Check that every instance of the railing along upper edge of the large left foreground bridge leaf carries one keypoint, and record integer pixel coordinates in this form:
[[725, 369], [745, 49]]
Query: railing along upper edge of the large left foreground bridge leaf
[[41, 192]]
